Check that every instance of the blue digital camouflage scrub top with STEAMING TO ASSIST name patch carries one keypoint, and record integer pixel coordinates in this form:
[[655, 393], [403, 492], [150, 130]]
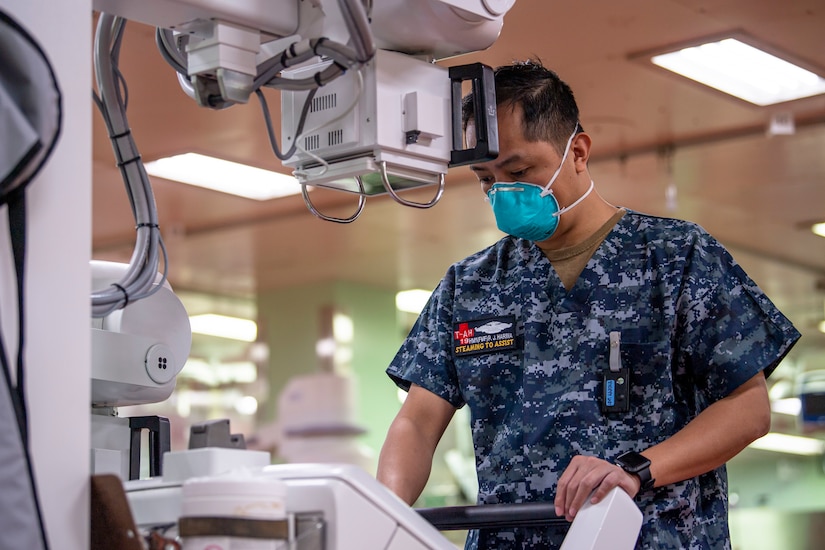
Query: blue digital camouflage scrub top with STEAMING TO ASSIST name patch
[[503, 336]]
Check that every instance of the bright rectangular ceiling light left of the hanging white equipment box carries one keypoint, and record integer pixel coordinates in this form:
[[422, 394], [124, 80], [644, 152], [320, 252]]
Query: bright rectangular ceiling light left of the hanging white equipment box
[[224, 176]]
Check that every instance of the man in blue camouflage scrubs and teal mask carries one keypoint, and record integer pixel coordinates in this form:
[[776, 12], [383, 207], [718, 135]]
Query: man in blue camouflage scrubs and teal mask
[[595, 346]]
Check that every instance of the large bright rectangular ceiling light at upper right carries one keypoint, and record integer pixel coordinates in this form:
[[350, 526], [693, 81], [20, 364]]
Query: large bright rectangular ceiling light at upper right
[[741, 70]]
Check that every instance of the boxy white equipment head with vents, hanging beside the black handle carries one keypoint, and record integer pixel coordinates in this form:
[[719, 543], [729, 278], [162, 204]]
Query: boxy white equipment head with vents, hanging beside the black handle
[[393, 117]]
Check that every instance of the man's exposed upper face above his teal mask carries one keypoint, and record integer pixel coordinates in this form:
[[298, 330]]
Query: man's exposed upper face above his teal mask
[[518, 159]]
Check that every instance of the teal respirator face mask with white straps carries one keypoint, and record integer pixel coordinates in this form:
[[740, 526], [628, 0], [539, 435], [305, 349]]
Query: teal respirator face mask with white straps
[[527, 210]]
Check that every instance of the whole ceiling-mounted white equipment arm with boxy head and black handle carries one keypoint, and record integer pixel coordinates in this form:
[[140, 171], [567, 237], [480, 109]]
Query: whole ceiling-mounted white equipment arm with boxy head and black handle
[[397, 127]]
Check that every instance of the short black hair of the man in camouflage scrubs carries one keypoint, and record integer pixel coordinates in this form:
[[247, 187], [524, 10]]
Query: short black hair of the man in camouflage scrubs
[[549, 108]]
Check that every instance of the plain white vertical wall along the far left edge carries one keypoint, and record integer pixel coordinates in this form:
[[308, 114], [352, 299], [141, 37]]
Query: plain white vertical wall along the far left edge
[[58, 283]]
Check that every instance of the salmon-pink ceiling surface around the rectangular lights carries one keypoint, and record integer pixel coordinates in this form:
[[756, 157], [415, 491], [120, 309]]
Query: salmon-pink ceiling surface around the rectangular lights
[[754, 192]]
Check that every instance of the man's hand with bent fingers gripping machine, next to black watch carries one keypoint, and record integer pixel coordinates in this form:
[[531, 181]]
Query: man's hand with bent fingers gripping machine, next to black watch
[[590, 477]]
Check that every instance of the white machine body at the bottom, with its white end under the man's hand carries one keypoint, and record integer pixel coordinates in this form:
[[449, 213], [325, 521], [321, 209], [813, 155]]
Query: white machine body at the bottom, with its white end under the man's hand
[[354, 511]]
